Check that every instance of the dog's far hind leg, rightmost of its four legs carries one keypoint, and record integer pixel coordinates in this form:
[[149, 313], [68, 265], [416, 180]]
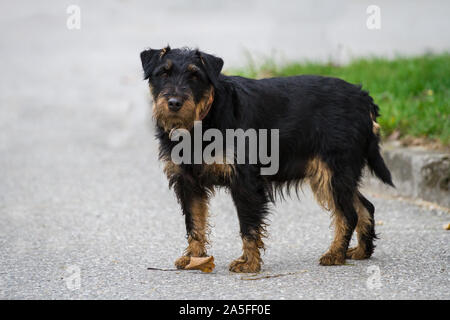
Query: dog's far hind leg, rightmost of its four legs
[[365, 229]]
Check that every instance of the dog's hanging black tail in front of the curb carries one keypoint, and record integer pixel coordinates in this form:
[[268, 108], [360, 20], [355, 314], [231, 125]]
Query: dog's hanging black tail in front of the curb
[[374, 159]]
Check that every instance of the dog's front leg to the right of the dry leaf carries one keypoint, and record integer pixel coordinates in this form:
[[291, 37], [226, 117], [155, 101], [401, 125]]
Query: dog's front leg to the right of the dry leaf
[[250, 197]]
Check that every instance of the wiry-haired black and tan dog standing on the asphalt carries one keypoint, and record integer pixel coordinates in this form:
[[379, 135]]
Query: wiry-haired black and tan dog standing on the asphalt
[[327, 134]]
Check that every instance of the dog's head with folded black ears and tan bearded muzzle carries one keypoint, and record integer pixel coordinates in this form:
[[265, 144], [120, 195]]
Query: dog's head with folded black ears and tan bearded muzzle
[[182, 83]]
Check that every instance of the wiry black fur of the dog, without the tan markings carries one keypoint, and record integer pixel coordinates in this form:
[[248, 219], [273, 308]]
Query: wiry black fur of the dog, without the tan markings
[[317, 117]]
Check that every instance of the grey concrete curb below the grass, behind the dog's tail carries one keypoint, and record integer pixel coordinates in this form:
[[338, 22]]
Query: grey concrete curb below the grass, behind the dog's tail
[[416, 172]]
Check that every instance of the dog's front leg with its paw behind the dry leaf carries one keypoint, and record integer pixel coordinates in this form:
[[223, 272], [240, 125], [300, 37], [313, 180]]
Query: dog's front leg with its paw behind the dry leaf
[[195, 210]]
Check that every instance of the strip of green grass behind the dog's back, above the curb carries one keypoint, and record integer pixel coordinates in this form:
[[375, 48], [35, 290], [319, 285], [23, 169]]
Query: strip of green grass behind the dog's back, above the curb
[[413, 93]]
